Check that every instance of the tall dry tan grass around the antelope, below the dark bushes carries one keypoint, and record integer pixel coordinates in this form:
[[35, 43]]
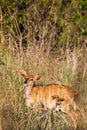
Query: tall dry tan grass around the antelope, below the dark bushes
[[68, 68]]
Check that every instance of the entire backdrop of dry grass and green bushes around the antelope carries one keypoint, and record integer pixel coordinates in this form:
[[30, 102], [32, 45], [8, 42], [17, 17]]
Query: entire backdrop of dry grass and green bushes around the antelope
[[42, 36]]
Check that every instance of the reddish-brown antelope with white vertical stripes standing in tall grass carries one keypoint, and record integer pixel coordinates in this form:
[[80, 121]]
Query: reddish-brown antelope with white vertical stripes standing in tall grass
[[48, 95]]
